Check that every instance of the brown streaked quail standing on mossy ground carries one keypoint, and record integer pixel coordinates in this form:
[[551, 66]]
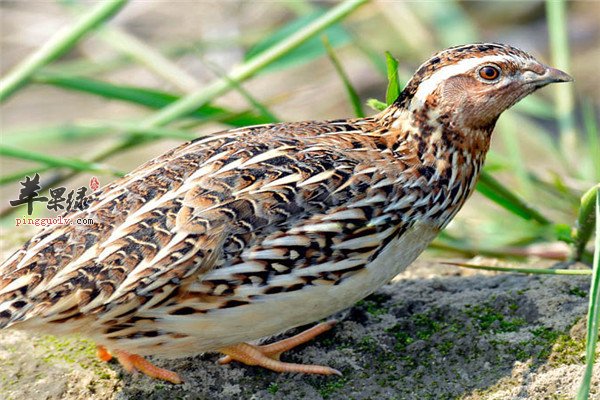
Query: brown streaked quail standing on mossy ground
[[250, 232]]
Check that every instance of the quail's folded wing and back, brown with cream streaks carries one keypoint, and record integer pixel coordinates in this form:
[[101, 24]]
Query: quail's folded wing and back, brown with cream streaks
[[183, 214]]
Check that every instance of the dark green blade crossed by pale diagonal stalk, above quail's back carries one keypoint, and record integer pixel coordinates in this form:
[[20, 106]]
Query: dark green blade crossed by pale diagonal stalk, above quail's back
[[146, 97]]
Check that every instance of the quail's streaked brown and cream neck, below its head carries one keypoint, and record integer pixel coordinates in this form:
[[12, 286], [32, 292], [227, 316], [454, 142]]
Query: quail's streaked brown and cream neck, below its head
[[444, 158]]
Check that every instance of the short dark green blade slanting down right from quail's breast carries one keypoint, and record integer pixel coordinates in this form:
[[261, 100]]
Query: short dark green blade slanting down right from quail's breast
[[504, 197]]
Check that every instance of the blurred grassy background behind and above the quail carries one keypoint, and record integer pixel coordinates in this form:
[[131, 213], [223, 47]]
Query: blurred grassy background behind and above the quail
[[103, 102]]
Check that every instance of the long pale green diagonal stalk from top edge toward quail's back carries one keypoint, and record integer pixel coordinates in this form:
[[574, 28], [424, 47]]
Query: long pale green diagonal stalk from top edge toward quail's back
[[197, 99]]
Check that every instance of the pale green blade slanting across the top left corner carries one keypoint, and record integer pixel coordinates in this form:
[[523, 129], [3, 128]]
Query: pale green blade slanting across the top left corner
[[57, 45]]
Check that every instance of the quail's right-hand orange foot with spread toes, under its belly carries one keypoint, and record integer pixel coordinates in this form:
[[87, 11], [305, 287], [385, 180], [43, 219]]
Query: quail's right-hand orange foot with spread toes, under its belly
[[267, 356]]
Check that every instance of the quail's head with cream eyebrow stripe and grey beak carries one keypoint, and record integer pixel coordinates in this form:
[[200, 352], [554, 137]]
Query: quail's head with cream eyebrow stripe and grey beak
[[472, 85]]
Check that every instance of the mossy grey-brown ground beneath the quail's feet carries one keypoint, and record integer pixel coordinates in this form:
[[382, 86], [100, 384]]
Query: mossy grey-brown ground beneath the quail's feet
[[436, 332]]
